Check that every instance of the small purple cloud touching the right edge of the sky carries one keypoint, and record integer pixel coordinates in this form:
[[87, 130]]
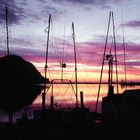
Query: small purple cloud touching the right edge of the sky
[[133, 24]]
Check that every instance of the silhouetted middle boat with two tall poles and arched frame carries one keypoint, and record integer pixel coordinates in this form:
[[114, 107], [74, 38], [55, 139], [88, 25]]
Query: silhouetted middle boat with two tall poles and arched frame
[[62, 115]]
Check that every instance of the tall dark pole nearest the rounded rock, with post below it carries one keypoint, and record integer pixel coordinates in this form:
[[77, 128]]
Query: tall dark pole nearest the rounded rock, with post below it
[[44, 93]]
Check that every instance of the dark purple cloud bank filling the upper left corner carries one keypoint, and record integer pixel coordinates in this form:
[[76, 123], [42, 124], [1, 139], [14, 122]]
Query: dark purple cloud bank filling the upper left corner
[[27, 11]]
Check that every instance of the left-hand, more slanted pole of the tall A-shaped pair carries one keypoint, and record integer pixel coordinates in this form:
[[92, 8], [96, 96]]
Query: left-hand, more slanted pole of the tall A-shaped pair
[[96, 106]]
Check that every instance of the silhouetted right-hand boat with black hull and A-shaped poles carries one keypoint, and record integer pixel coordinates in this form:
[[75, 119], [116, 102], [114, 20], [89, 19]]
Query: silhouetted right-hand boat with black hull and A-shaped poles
[[118, 108]]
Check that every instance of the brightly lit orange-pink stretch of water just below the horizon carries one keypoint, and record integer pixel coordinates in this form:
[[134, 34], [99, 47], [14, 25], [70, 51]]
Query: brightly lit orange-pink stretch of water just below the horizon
[[64, 95]]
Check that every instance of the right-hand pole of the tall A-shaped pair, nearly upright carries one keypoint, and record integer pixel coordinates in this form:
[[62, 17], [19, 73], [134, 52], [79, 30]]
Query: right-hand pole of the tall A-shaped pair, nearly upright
[[115, 52]]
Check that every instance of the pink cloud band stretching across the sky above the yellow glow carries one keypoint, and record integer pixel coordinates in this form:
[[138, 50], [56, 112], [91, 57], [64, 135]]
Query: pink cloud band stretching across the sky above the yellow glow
[[89, 54]]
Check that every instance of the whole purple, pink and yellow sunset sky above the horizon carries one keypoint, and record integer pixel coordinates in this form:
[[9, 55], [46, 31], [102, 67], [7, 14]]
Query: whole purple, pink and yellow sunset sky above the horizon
[[28, 19]]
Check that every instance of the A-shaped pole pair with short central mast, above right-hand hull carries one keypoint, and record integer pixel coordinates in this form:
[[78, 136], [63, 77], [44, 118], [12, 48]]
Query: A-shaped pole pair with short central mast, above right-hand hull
[[110, 62]]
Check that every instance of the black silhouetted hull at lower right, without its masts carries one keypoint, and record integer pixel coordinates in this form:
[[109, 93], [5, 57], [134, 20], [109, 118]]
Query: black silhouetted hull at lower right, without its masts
[[124, 108]]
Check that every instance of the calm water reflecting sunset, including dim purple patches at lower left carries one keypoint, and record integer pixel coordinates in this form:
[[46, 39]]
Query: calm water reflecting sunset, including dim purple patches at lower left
[[64, 97]]
